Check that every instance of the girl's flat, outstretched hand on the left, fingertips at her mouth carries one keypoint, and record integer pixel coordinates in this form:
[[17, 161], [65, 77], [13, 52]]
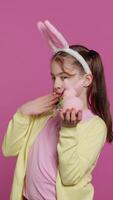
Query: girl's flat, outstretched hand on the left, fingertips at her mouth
[[40, 105]]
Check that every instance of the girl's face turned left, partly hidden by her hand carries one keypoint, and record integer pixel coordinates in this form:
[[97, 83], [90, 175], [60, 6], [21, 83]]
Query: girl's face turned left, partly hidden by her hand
[[58, 76]]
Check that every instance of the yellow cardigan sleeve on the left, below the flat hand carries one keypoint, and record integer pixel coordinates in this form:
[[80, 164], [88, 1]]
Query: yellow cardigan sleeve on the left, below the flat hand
[[15, 134]]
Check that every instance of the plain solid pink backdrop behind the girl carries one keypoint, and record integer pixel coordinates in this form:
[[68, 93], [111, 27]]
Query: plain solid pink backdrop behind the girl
[[24, 65]]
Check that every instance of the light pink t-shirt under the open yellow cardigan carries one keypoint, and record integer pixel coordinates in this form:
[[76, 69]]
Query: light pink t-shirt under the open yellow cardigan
[[43, 161]]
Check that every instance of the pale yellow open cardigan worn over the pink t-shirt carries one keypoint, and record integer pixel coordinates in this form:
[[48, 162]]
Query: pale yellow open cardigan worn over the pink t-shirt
[[78, 150]]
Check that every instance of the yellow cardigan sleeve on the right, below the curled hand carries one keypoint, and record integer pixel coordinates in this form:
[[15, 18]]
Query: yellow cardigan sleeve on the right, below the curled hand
[[76, 154]]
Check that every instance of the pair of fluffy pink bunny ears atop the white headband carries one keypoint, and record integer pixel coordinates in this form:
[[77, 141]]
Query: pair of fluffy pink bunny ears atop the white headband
[[54, 37]]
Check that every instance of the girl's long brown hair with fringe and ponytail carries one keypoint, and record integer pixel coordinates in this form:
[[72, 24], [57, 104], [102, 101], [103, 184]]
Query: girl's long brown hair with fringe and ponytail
[[96, 94]]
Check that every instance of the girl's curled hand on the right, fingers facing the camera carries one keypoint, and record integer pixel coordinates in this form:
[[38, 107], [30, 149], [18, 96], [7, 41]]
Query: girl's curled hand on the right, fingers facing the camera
[[70, 117]]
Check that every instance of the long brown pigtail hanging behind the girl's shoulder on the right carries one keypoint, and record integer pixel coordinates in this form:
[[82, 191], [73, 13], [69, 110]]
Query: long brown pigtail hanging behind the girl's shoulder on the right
[[97, 94]]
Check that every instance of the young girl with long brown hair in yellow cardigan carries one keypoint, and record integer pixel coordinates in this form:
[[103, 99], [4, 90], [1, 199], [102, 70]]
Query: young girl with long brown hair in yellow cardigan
[[58, 149]]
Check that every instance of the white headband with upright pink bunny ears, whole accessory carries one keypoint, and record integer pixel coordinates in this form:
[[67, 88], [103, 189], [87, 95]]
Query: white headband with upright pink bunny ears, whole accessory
[[58, 43]]
